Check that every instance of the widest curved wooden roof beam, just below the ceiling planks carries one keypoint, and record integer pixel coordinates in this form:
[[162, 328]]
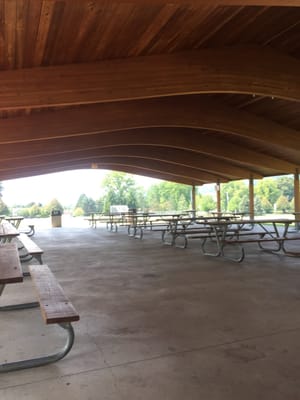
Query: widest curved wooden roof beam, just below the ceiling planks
[[253, 70]]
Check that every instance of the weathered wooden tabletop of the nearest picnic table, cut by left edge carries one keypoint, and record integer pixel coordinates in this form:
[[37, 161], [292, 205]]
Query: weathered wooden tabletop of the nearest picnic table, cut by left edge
[[10, 267]]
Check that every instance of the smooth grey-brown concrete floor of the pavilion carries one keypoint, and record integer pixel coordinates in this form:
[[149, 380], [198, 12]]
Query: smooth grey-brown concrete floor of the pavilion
[[158, 323]]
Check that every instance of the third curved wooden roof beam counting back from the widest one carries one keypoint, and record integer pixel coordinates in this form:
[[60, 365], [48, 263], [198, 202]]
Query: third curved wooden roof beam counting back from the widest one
[[176, 138]]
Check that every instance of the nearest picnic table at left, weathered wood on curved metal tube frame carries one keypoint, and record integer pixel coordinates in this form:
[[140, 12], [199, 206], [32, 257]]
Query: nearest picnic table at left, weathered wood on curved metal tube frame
[[55, 306]]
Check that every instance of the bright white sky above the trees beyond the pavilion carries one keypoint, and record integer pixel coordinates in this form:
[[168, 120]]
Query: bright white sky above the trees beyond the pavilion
[[66, 187]]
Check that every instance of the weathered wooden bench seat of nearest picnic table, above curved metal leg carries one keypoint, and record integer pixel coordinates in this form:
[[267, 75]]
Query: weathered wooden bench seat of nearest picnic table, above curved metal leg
[[55, 306]]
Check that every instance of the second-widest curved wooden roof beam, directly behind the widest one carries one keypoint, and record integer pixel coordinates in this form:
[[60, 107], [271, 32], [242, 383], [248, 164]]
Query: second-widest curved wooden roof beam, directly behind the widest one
[[192, 112]]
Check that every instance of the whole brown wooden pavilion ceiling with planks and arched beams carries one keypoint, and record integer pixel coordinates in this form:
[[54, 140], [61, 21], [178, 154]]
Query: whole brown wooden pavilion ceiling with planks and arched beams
[[188, 91]]
